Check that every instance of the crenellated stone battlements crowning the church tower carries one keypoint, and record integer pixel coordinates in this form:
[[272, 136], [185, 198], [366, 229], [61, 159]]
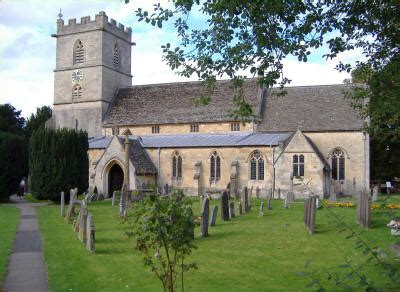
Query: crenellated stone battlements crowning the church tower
[[99, 23]]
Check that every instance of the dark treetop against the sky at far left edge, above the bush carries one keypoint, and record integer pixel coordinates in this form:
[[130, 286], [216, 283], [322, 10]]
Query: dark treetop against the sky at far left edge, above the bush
[[11, 120]]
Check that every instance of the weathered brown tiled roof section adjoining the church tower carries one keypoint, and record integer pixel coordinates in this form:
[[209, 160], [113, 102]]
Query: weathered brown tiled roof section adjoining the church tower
[[172, 103]]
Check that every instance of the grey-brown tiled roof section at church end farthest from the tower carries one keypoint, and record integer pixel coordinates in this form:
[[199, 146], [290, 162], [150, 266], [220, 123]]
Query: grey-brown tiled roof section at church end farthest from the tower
[[310, 108]]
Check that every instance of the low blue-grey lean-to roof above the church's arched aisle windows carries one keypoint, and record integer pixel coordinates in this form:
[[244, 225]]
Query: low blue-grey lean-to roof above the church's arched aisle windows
[[200, 140]]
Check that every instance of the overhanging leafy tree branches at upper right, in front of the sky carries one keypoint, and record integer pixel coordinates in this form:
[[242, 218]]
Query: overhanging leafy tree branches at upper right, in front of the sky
[[256, 36]]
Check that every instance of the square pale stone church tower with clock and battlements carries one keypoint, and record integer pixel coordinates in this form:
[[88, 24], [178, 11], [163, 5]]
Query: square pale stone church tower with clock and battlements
[[93, 60]]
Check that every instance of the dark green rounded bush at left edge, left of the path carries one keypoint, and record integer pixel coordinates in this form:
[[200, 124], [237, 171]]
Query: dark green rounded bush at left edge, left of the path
[[14, 163]]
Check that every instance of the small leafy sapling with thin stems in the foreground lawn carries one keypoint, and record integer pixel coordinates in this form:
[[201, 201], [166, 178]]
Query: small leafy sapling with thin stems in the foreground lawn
[[163, 229]]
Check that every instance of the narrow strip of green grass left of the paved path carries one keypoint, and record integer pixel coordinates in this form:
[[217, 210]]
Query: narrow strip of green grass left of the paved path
[[9, 218]]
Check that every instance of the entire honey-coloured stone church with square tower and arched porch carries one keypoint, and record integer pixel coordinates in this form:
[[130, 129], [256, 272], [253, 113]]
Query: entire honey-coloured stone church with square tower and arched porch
[[310, 139]]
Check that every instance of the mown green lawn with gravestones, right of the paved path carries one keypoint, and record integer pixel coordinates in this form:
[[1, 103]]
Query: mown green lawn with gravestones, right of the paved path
[[247, 253]]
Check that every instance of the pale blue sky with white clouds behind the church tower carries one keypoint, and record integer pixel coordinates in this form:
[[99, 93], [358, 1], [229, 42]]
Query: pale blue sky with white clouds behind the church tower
[[28, 50]]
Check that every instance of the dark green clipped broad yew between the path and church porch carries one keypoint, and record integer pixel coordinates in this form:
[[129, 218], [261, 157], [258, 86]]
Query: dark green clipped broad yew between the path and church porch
[[58, 162]]
